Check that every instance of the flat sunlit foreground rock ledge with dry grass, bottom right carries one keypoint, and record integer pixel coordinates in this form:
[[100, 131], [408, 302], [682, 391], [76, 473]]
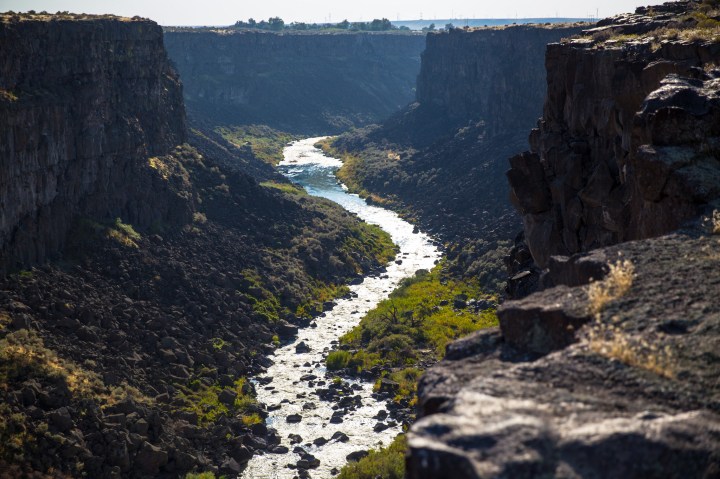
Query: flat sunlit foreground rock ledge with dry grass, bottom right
[[632, 388]]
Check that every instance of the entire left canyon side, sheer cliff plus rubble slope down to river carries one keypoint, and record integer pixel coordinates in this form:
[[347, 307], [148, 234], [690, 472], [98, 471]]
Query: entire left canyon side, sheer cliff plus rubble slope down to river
[[146, 270]]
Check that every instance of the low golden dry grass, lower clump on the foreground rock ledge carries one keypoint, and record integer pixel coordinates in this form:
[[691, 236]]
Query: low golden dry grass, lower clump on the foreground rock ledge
[[612, 342]]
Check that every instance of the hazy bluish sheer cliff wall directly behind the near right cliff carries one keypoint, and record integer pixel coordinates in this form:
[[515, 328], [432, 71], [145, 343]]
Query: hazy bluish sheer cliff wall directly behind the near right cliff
[[493, 74]]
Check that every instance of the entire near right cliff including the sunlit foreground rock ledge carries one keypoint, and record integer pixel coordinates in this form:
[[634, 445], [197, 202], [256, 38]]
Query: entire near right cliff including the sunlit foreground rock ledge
[[611, 369]]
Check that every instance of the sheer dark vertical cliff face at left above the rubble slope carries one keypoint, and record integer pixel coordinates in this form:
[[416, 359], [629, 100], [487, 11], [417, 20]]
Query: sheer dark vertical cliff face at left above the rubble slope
[[77, 127]]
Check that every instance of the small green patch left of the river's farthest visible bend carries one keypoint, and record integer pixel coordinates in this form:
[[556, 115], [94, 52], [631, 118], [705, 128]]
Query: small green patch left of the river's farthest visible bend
[[266, 143]]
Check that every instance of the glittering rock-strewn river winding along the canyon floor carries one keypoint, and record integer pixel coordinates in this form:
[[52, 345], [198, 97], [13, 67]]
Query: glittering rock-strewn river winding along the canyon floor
[[309, 167]]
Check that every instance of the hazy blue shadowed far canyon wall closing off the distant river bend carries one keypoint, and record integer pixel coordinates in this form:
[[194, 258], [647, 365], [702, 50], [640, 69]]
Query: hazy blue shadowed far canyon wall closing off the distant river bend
[[301, 83]]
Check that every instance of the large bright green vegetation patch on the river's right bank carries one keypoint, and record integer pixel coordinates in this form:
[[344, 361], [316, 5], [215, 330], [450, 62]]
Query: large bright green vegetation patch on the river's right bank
[[413, 325]]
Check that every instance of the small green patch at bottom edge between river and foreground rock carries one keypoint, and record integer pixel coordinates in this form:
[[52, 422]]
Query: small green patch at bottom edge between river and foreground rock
[[387, 463]]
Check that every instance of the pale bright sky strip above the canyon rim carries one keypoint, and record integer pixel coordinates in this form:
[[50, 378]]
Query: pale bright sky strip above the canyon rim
[[225, 12]]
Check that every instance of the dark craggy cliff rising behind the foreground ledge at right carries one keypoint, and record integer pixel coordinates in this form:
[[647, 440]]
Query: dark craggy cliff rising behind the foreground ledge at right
[[627, 145]]
